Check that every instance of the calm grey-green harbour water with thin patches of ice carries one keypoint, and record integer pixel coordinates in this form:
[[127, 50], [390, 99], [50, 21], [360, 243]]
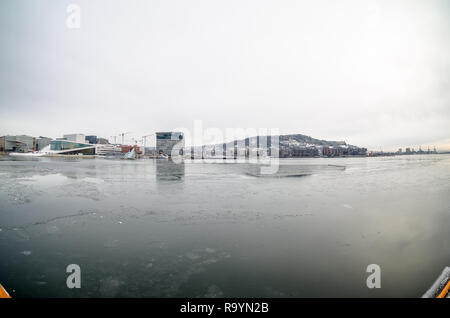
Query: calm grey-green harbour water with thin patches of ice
[[149, 228]]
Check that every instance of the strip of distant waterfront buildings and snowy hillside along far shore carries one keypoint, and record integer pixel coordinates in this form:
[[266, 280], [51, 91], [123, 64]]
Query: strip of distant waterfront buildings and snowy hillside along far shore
[[172, 143]]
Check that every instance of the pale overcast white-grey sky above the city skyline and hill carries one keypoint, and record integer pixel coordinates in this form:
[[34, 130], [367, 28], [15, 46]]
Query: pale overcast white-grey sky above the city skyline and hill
[[373, 73]]
